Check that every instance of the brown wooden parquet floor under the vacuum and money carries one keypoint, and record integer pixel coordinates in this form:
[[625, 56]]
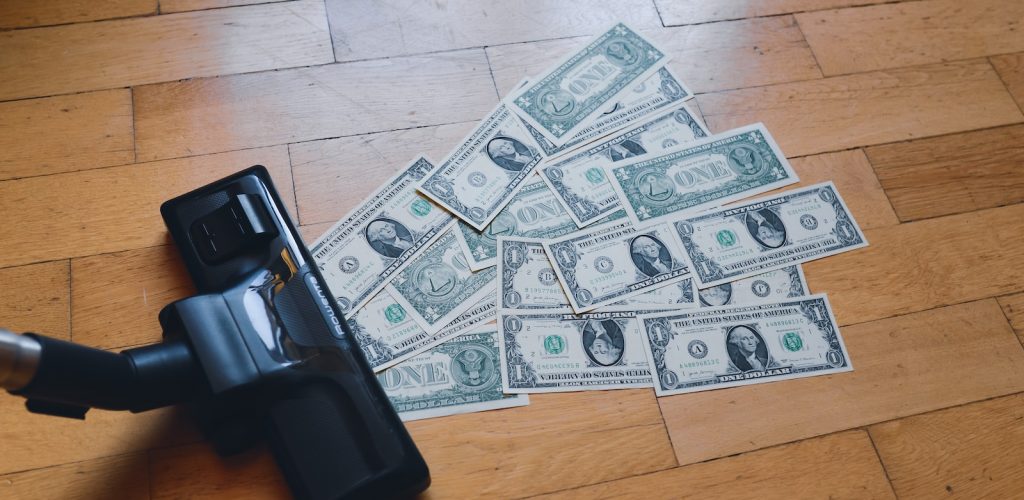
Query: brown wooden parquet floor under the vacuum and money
[[913, 108]]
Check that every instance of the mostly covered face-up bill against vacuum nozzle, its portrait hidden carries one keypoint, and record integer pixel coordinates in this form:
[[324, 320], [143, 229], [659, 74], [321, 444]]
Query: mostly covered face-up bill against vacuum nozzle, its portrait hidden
[[389, 335]]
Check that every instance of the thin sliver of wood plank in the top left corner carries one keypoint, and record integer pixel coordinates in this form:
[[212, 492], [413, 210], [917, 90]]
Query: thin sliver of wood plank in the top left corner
[[28, 14]]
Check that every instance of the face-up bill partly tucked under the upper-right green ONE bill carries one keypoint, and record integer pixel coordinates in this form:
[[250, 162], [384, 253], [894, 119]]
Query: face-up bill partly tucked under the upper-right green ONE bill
[[580, 181]]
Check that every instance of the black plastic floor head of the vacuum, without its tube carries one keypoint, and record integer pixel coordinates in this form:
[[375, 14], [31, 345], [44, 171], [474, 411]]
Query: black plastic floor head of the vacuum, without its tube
[[276, 352]]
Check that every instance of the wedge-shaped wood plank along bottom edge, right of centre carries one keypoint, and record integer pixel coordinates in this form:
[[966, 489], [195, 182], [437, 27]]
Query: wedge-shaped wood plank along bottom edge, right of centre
[[843, 466]]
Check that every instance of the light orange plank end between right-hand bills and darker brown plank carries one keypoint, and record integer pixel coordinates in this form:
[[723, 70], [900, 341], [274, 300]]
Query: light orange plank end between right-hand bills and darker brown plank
[[855, 180]]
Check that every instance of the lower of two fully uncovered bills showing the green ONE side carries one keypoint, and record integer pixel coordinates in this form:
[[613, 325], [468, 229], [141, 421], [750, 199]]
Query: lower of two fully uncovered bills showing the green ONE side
[[708, 174]]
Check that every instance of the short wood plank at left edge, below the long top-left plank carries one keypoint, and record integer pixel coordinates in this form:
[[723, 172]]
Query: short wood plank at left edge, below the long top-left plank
[[65, 134]]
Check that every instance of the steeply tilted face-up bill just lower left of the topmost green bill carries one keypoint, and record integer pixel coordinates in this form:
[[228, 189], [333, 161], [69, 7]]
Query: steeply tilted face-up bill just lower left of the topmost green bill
[[486, 171]]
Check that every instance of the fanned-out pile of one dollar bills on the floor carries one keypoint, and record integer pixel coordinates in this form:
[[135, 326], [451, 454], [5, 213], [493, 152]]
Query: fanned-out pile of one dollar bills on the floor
[[591, 233]]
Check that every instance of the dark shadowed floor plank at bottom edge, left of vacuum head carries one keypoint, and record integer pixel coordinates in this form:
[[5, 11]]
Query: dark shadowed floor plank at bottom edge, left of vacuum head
[[196, 472]]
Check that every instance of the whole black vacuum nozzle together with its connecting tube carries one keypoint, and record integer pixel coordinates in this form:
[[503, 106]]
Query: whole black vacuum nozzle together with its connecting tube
[[262, 354]]
